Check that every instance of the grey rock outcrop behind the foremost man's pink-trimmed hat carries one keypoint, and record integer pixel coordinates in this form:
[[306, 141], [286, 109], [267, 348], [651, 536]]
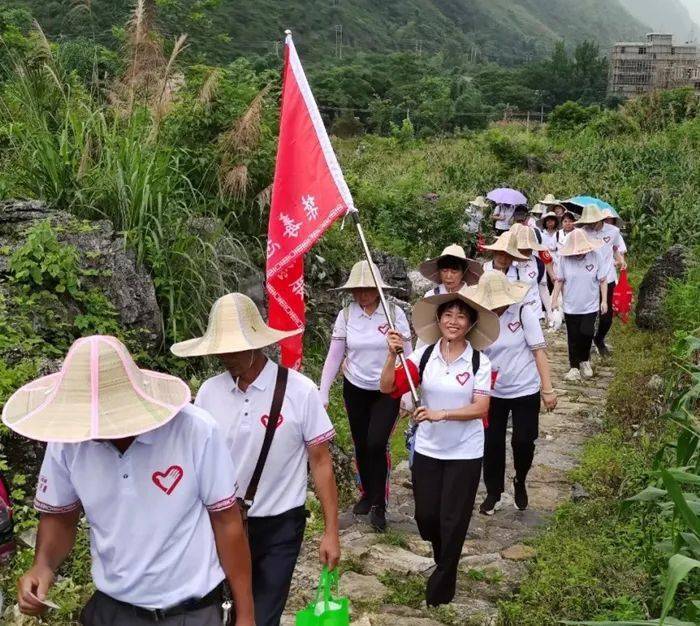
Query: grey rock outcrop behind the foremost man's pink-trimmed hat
[[117, 275]]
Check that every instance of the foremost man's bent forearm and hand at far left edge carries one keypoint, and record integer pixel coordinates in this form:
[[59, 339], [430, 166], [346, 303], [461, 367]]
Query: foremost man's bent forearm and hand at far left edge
[[55, 540]]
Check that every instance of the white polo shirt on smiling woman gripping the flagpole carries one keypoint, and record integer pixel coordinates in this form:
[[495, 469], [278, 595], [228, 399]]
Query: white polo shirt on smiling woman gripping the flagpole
[[451, 387]]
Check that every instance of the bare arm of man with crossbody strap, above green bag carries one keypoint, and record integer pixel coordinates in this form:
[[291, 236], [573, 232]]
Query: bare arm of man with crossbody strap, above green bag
[[327, 492]]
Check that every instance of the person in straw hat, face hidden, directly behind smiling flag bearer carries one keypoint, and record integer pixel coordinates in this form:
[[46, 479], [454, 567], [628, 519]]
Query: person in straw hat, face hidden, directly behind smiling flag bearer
[[519, 362]]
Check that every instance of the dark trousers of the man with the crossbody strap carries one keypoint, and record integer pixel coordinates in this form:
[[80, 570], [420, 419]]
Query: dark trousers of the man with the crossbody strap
[[274, 548]]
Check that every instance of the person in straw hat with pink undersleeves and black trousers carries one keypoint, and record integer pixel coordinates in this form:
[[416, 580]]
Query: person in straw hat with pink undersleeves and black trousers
[[358, 341]]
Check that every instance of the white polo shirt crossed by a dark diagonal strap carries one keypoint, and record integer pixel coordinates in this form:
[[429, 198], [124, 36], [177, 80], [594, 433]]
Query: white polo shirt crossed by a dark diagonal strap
[[242, 418]]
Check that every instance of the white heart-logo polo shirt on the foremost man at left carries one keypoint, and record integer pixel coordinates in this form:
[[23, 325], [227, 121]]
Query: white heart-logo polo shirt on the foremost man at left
[[151, 539]]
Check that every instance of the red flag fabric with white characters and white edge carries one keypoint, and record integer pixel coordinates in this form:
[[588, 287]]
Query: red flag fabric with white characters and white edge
[[308, 194]]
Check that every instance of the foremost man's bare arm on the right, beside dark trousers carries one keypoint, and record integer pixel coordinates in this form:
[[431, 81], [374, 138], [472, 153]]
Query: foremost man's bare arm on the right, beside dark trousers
[[234, 556]]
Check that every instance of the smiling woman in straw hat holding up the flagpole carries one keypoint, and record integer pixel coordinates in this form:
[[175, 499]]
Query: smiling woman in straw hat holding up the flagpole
[[455, 384]]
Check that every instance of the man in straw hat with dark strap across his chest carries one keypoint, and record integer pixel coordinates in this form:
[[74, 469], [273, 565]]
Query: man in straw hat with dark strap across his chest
[[274, 424]]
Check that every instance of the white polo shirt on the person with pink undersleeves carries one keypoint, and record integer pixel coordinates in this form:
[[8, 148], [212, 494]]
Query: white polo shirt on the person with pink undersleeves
[[365, 343]]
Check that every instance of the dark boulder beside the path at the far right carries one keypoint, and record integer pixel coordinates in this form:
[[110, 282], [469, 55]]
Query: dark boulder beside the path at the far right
[[652, 292]]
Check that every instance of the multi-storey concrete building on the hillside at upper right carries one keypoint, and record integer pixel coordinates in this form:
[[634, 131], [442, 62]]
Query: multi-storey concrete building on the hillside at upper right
[[640, 67]]
